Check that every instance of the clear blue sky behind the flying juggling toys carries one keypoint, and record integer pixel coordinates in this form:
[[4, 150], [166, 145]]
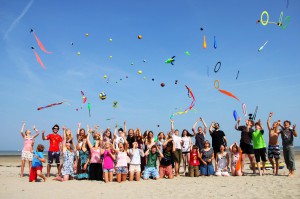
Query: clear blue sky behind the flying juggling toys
[[268, 79]]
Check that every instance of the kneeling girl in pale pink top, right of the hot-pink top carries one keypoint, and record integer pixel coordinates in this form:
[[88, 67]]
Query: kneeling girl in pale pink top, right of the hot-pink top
[[121, 167]]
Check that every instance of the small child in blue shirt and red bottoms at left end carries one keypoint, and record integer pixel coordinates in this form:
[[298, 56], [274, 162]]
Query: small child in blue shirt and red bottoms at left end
[[37, 164]]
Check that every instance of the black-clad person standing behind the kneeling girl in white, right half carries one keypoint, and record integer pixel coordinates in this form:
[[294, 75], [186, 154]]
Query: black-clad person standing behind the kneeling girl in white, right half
[[218, 137]]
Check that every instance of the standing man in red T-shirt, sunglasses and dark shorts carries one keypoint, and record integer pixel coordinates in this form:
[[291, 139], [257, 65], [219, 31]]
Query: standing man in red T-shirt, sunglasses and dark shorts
[[54, 148]]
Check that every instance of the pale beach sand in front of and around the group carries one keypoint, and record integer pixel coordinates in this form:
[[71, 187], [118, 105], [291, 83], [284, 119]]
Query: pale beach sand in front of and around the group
[[267, 186]]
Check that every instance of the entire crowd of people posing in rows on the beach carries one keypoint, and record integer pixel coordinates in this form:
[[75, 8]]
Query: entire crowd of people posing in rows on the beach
[[101, 155]]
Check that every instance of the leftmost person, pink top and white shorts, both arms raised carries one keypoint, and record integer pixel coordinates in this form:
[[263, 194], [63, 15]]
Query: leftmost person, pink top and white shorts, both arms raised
[[28, 147]]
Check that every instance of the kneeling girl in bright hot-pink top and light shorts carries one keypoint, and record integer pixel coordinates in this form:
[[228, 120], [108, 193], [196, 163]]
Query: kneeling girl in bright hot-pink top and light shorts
[[108, 162]]
